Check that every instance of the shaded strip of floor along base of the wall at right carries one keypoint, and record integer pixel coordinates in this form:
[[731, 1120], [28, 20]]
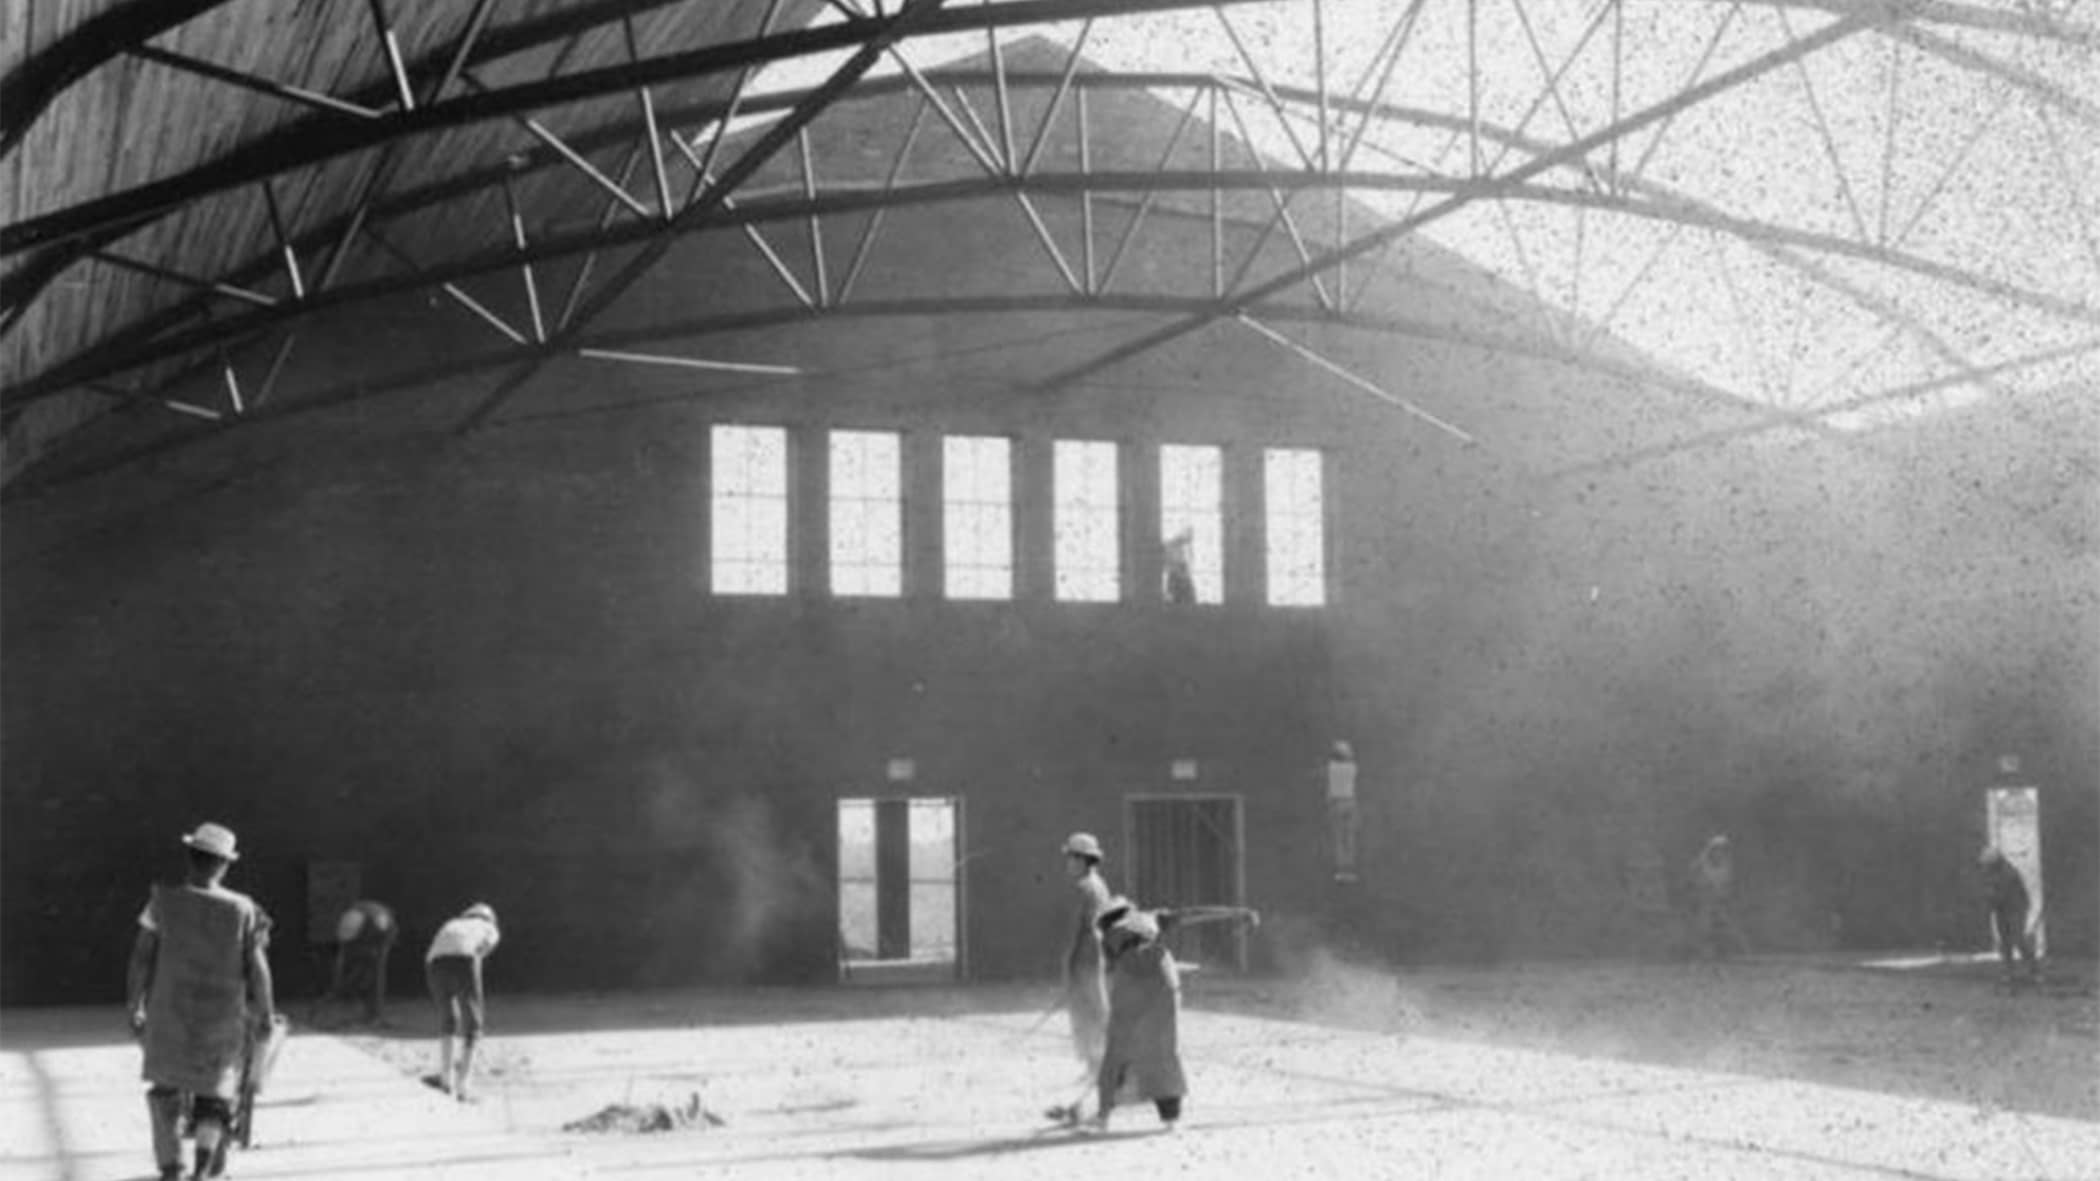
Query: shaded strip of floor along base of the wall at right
[[1941, 1031]]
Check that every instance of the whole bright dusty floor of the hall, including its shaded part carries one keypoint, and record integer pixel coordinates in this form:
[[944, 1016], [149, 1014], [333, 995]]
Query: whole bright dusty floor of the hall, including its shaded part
[[1570, 1071]]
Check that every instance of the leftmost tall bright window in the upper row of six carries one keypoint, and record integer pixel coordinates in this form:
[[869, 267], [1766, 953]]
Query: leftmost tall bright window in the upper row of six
[[749, 510]]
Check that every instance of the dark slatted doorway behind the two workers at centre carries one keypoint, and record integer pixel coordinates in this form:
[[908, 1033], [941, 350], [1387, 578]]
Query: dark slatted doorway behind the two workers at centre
[[1190, 850]]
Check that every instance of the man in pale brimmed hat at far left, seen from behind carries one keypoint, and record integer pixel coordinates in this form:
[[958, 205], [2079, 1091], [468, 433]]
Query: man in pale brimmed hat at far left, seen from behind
[[198, 982]]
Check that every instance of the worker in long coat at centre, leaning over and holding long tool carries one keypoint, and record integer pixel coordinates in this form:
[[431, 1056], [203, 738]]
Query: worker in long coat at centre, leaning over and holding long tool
[[1143, 1054]]
